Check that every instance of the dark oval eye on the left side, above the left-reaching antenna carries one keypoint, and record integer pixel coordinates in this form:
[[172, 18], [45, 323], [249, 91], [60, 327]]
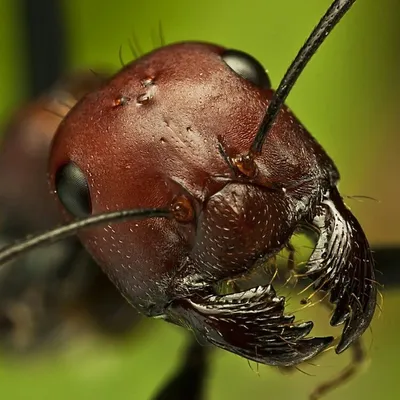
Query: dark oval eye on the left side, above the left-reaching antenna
[[73, 190]]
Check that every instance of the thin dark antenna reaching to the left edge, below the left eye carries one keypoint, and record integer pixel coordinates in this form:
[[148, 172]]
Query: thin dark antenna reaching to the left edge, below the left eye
[[62, 232]]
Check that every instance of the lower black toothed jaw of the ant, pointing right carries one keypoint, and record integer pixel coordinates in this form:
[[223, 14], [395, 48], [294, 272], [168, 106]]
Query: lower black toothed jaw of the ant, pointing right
[[251, 324]]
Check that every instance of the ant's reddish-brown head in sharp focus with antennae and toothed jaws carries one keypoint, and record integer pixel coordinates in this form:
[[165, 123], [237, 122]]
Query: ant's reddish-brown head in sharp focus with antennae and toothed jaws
[[218, 189]]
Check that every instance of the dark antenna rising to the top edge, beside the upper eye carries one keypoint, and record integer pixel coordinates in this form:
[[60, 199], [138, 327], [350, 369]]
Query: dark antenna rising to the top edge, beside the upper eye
[[334, 14]]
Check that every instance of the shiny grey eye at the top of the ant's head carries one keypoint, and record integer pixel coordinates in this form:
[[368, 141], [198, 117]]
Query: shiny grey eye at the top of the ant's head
[[247, 67]]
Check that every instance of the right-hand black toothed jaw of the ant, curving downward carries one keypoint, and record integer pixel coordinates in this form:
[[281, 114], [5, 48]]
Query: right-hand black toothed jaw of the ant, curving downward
[[342, 266]]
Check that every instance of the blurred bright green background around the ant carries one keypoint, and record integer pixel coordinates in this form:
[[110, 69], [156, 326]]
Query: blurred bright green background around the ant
[[348, 99]]
